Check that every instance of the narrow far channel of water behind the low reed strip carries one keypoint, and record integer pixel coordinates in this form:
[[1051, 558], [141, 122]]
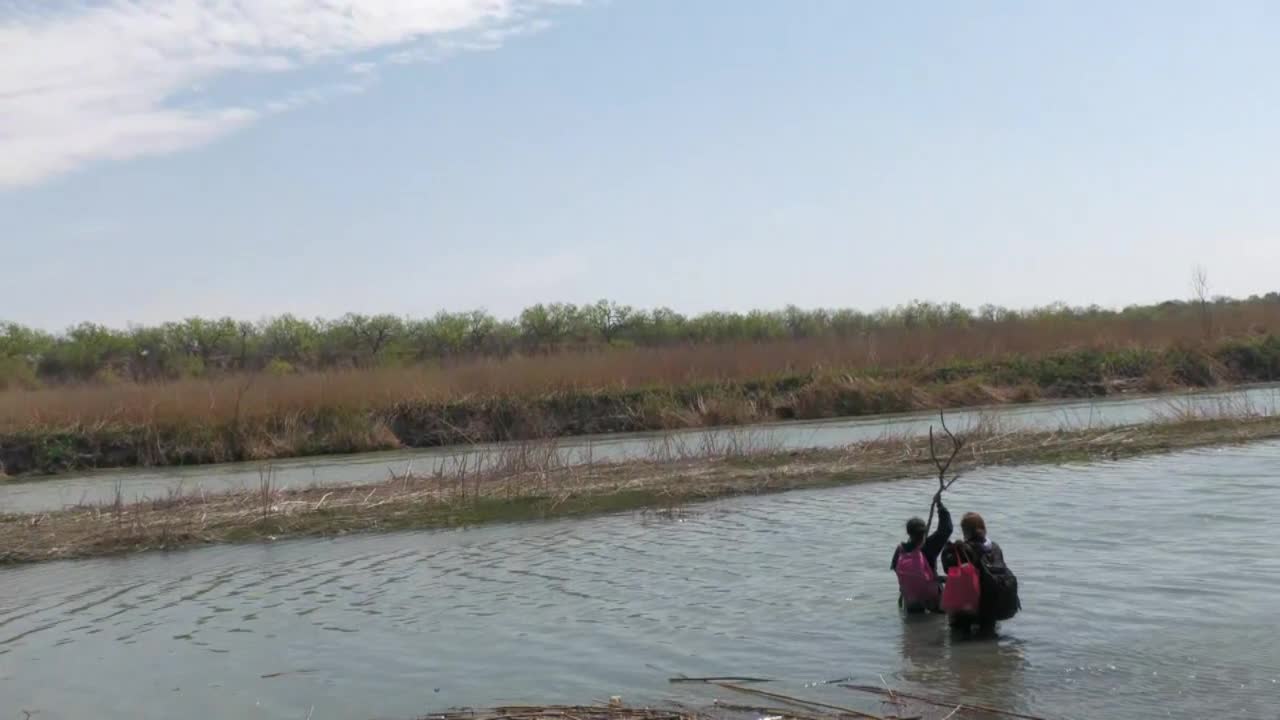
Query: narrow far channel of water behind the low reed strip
[[100, 487]]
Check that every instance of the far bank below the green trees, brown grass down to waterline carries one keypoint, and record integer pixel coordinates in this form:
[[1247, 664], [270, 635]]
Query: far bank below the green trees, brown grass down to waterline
[[624, 390]]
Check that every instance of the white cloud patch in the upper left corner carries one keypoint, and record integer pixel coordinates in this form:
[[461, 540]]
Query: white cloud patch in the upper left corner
[[107, 80]]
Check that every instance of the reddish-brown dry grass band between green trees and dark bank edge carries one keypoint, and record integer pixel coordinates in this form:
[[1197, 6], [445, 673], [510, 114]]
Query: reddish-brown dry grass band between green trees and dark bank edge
[[230, 398]]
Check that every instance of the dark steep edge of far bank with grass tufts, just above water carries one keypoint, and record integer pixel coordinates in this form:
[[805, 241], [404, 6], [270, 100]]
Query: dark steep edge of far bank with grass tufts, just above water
[[811, 397]]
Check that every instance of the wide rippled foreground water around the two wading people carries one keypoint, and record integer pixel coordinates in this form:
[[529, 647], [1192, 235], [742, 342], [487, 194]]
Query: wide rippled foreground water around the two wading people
[[1149, 589]]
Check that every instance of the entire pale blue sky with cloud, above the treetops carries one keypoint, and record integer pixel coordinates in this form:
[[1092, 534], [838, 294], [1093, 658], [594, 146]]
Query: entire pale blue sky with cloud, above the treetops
[[171, 158]]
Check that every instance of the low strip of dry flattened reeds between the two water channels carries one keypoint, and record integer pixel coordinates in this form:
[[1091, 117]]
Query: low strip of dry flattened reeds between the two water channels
[[532, 482]]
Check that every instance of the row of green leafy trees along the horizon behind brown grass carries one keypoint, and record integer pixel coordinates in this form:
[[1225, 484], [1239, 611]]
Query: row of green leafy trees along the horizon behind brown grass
[[200, 347]]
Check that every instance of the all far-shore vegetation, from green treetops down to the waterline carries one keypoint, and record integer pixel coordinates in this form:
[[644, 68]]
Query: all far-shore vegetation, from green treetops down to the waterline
[[212, 391]]
